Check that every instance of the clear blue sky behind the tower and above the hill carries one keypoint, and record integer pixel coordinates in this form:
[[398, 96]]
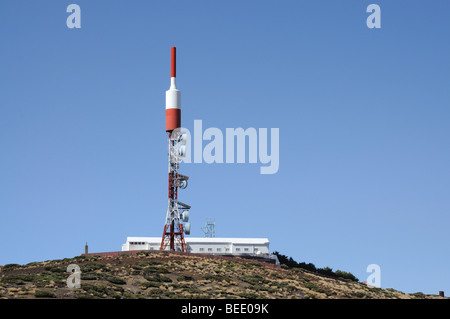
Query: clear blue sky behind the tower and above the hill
[[363, 116]]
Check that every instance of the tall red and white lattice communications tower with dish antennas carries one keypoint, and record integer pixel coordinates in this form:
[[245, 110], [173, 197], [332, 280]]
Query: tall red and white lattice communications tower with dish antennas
[[174, 230]]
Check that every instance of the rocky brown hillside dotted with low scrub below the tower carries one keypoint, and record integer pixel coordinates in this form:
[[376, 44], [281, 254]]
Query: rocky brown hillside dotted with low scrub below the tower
[[167, 275]]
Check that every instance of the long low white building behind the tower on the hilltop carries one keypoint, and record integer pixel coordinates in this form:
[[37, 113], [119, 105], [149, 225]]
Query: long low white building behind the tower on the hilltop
[[205, 245]]
